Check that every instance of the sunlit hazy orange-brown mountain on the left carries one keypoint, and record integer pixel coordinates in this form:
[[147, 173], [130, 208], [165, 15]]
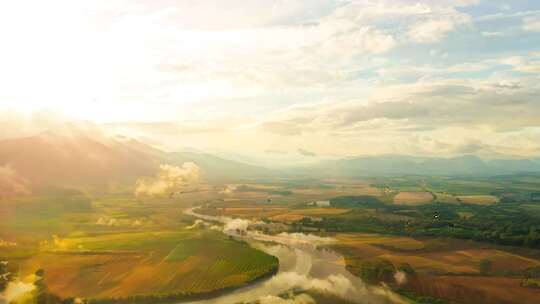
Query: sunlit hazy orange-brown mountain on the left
[[81, 159]]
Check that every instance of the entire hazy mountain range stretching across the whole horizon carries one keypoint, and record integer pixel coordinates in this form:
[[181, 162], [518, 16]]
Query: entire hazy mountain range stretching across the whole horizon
[[80, 158]]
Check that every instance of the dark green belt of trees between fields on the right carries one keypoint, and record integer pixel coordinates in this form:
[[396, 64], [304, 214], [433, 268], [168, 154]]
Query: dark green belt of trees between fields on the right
[[506, 223]]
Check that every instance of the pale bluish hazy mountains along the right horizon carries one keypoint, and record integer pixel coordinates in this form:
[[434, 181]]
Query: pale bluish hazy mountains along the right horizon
[[388, 165]]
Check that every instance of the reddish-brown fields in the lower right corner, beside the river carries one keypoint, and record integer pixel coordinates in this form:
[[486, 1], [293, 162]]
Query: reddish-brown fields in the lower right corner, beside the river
[[444, 268]]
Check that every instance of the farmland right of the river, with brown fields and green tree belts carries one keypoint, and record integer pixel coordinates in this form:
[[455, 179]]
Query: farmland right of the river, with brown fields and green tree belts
[[458, 240]]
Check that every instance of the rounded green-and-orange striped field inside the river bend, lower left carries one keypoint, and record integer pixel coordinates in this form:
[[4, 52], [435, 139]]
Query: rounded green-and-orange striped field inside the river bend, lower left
[[162, 262]]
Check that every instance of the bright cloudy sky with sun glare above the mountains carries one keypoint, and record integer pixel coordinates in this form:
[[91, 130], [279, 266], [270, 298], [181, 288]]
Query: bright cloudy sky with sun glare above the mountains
[[297, 79]]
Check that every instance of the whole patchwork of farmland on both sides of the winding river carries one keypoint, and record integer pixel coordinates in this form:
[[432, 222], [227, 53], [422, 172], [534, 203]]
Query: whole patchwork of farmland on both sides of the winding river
[[116, 246]]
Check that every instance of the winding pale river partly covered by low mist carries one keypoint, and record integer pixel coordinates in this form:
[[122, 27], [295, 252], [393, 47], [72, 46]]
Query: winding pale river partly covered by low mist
[[303, 264]]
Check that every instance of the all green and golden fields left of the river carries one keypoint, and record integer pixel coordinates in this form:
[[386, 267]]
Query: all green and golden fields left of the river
[[123, 247]]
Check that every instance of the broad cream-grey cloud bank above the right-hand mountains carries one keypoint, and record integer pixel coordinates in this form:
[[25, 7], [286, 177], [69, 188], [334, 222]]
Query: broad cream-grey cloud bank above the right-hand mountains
[[446, 109]]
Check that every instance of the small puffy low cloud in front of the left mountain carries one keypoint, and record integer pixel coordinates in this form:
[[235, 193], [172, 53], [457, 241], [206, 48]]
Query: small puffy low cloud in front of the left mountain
[[170, 179]]
